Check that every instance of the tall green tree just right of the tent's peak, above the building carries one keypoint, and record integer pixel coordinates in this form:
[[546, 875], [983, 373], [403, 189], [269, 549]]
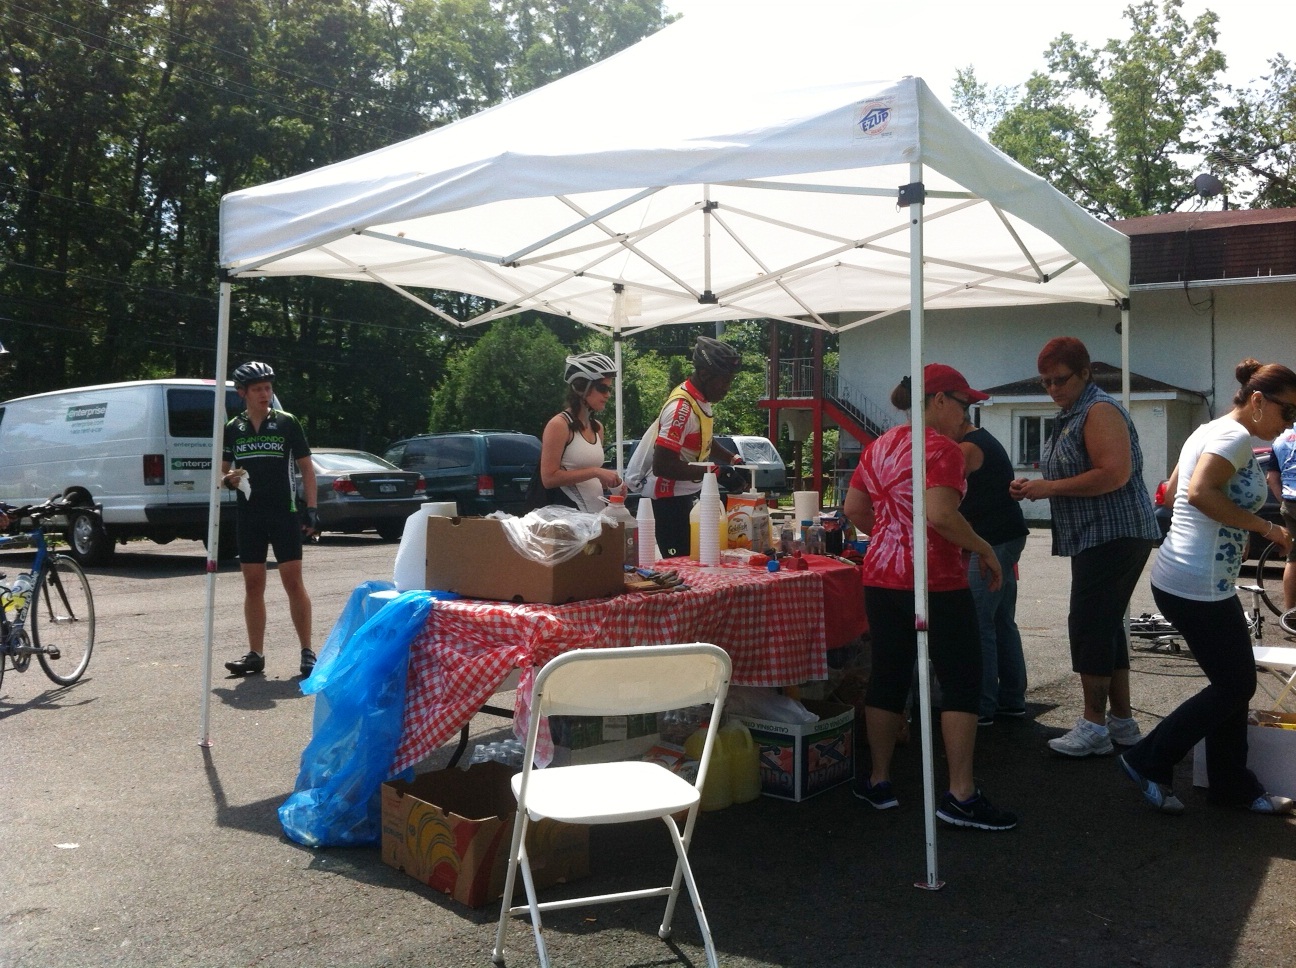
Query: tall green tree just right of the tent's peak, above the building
[[1114, 128]]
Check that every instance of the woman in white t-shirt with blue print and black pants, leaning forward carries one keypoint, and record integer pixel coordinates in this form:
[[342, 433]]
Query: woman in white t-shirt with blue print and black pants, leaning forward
[[1218, 488]]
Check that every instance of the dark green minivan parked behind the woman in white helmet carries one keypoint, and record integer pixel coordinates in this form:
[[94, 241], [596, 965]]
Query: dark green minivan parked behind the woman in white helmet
[[481, 471]]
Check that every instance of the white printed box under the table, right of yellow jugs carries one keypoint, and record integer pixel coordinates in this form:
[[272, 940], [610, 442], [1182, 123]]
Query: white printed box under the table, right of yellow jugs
[[802, 760]]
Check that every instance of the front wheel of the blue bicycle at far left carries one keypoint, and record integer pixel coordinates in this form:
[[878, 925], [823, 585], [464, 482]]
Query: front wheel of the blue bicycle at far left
[[63, 620]]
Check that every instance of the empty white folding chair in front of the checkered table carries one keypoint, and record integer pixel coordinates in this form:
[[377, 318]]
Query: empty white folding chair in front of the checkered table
[[615, 682]]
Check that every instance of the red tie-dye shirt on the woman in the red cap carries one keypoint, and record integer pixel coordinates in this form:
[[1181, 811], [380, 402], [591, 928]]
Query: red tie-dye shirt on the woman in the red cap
[[886, 474]]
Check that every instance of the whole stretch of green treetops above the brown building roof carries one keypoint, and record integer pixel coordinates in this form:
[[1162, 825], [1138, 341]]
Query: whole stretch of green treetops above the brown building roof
[[1124, 129]]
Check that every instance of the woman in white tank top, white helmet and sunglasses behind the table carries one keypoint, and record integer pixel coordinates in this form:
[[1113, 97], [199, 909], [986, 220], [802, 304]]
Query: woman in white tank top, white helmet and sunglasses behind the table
[[572, 446]]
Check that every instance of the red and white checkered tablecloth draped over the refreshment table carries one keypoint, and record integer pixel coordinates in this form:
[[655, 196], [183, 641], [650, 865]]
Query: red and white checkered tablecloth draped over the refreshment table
[[770, 624]]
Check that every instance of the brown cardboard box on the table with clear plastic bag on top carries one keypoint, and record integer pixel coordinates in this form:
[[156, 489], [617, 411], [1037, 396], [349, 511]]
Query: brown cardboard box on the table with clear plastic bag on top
[[472, 557]]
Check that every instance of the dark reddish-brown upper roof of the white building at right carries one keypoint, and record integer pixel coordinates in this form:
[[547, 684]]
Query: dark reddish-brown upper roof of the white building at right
[[1188, 247]]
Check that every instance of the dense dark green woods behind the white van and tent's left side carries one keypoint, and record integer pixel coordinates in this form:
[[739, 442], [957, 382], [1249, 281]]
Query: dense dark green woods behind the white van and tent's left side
[[122, 126]]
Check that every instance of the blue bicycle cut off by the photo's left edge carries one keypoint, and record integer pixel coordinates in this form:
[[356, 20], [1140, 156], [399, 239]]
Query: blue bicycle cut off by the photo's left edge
[[50, 612]]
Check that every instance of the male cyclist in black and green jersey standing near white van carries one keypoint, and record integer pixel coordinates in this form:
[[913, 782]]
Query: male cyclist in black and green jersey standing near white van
[[264, 444]]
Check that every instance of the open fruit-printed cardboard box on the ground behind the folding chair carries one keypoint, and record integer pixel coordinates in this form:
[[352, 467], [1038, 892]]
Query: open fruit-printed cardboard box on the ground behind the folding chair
[[452, 831]]
